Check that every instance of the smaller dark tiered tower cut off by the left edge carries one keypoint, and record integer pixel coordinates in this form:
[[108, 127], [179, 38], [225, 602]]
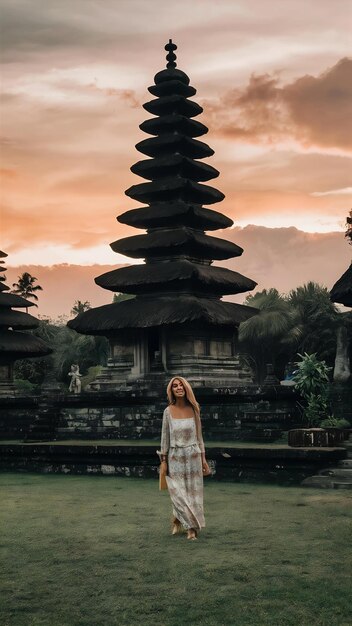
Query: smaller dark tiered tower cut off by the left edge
[[15, 344]]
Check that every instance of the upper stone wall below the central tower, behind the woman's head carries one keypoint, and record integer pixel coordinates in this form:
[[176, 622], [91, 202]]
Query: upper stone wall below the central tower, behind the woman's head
[[246, 413]]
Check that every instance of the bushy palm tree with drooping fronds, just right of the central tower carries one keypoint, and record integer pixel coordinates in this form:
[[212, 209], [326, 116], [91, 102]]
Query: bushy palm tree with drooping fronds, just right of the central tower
[[270, 336]]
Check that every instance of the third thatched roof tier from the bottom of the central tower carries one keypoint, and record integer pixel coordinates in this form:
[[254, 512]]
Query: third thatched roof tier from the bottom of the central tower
[[181, 241]]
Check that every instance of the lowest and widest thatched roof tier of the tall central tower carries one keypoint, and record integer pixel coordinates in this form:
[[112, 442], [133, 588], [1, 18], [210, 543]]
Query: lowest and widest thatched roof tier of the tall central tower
[[148, 312]]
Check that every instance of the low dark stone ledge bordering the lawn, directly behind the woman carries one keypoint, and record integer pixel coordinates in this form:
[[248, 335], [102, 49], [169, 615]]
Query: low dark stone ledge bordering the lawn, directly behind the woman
[[263, 463]]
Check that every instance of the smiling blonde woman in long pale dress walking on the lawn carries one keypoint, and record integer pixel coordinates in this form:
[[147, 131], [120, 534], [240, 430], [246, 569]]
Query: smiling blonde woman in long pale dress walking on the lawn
[[183, 457]]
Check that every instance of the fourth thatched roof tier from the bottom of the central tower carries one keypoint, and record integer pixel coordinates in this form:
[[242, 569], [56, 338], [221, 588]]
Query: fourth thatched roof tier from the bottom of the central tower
[[176, 214]]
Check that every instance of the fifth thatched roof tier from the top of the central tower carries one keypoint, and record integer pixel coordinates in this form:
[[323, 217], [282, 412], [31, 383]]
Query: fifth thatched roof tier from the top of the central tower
[[174, 142]]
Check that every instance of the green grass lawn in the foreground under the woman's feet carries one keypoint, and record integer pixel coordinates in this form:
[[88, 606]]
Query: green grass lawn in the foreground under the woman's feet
[[96, 551]]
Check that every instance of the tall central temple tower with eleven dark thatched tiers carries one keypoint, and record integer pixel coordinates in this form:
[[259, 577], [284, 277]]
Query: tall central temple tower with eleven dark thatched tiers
[[177, 323]]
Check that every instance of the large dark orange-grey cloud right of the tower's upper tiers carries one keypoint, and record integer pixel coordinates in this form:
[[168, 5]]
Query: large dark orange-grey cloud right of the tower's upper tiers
[[313, 110]]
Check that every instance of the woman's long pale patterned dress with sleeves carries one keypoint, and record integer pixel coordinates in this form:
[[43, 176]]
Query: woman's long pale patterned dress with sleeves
[[180, 442]]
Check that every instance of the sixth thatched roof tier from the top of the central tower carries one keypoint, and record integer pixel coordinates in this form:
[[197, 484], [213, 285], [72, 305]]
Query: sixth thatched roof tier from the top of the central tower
[[174, 165]]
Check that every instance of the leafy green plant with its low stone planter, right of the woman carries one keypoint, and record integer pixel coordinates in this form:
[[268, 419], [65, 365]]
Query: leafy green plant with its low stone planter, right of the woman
[[311, 380]]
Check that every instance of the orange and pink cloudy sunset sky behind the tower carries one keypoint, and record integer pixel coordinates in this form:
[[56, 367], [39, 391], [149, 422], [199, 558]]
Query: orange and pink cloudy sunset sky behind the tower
[[275, 82]]
